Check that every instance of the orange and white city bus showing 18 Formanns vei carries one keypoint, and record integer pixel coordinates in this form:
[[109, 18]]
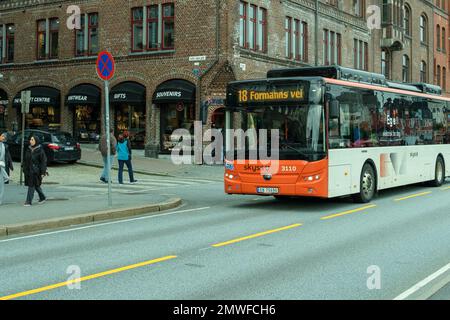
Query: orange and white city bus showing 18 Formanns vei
[[341, 132]]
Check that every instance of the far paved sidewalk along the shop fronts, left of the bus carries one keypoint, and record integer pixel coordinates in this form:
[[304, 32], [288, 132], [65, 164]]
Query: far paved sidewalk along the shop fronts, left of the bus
[[162, 167]]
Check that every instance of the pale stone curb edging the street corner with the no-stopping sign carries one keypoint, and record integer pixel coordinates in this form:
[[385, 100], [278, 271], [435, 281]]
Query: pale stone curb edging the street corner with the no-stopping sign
[[14, 229]]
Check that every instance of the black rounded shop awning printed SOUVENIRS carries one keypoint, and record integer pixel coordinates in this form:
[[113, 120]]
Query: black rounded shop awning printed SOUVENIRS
[[173, 91]]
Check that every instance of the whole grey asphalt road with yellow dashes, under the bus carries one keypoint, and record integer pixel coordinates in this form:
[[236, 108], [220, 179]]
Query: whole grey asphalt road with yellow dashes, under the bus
[[241, 247]]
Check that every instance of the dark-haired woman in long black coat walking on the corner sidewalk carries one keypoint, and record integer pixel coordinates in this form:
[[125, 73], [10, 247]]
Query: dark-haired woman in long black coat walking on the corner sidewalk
[[34, 169]]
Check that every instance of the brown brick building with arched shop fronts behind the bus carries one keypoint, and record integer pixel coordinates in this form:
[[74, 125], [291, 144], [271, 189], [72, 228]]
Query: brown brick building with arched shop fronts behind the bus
[[174, 58]]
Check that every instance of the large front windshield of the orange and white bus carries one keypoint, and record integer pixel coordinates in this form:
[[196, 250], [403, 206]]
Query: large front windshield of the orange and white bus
[[300, 129]]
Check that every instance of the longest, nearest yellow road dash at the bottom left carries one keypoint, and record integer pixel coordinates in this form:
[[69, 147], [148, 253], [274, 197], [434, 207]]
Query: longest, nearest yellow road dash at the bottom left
[[94, 276]]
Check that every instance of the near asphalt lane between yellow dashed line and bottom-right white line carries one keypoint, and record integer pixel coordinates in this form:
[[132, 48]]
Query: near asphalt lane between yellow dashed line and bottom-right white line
[[329, 262]]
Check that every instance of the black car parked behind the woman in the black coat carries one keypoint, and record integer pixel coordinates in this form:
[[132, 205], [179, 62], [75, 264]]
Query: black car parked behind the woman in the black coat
[[58, 146]]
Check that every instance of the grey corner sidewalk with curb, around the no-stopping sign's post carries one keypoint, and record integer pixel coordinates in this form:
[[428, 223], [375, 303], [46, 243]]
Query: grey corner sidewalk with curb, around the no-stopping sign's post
[[66, 208]]
